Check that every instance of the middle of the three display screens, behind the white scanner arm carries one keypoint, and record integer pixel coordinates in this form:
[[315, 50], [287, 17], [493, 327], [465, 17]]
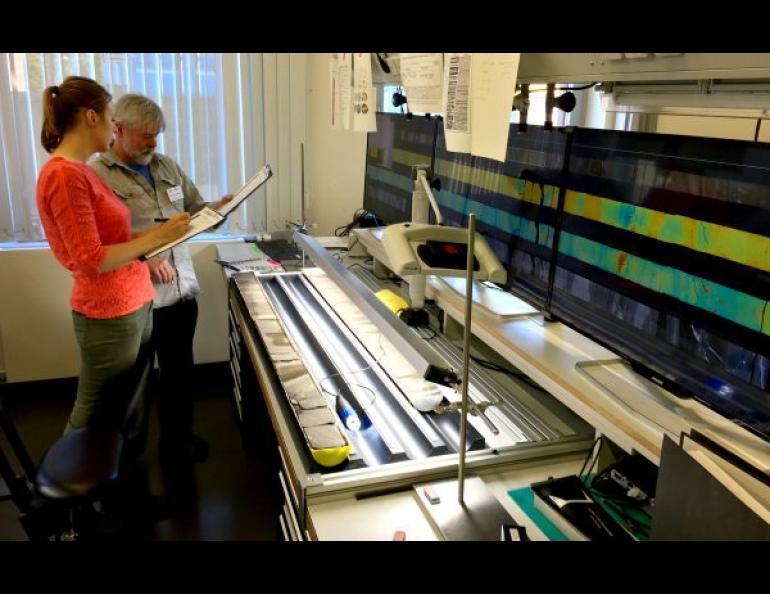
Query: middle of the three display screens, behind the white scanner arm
[[514, 202]]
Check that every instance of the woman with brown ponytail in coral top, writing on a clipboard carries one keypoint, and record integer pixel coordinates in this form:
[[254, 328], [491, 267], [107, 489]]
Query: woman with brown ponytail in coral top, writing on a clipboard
[[89, 231]]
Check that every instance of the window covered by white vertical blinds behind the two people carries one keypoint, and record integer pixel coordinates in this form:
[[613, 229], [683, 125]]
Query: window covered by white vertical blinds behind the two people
[[214, 105]]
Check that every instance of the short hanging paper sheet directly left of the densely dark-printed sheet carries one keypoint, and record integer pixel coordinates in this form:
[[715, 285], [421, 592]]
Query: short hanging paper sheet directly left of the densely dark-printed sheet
[[423, 78]]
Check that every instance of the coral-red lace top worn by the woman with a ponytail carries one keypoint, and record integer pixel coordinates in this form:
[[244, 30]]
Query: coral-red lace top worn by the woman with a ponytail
[[81, 216]]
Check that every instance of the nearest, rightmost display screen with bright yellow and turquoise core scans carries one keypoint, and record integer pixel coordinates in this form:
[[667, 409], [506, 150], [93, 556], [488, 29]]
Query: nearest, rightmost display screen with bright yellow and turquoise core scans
[[664, 253]]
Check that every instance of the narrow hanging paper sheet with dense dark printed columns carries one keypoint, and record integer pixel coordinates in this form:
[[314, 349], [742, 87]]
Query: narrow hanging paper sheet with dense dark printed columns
[[456, 102]]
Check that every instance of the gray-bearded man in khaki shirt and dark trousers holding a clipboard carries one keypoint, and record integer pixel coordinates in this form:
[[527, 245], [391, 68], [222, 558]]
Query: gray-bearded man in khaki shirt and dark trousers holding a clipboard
[[154, 186]]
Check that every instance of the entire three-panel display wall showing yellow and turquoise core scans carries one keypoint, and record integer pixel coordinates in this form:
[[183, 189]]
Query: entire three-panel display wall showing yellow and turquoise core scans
[[655, 245]]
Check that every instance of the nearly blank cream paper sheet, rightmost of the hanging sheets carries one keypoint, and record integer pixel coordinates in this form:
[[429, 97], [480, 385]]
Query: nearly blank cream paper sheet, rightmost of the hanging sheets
[[493, 85]]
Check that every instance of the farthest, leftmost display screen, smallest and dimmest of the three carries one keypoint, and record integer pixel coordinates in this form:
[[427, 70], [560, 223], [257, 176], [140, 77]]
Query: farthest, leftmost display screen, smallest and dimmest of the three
[[399, 144]]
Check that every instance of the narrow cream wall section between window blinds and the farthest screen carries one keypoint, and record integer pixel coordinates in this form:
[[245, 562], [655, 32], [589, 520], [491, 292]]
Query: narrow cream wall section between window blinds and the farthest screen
[[334, 159]]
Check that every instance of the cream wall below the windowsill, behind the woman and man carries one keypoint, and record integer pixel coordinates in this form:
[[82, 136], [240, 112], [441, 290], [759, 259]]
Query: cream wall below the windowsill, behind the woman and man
[[38, 341]]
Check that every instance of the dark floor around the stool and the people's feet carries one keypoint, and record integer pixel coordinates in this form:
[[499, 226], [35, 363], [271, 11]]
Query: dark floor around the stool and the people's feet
[[234, 495]]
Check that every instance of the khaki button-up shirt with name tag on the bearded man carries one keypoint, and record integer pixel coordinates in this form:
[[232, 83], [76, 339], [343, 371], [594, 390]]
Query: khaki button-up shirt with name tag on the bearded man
[[147, 204]]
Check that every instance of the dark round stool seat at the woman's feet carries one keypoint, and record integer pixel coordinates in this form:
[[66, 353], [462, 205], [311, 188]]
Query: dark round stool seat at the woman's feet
[[78, 463]]
